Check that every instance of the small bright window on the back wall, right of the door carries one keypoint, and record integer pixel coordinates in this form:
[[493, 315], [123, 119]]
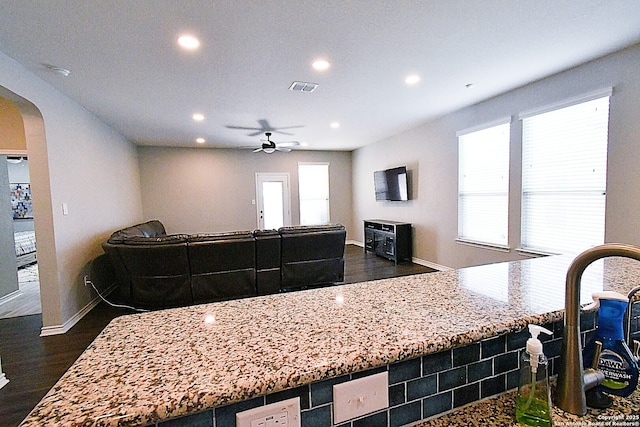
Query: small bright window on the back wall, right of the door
[[313, 186]]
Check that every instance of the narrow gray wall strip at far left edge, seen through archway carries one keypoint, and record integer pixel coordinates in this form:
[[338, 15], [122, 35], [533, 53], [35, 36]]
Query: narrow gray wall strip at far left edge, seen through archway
[[8, 266]]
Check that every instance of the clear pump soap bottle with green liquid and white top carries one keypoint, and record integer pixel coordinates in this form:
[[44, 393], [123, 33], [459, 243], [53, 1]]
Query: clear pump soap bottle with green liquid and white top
[[533, 402]]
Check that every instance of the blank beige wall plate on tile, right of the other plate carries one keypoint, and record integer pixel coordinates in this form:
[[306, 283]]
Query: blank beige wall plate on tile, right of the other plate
[[360, 397]]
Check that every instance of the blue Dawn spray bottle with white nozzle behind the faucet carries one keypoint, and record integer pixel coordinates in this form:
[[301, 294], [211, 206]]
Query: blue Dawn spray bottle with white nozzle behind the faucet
[[615, 360]]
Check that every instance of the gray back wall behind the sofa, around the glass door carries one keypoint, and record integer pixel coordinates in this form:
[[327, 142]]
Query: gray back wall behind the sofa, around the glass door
[[197, 190]]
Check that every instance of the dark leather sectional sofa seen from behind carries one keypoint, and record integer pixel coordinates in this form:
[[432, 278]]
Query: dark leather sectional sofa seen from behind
[[155, 270]]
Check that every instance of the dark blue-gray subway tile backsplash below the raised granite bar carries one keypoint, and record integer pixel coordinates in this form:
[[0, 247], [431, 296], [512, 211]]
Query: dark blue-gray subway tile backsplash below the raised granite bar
[[422, 387]]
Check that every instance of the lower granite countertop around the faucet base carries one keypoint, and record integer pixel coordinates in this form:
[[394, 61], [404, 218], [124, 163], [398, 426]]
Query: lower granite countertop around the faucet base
[[500, 412]]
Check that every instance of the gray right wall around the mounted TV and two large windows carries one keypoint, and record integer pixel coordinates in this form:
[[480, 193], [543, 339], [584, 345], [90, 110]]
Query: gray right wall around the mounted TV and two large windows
[[430, 152]]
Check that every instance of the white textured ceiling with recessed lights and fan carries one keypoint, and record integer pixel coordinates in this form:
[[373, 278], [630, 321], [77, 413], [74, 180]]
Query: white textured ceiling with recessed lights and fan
[[127, 68]]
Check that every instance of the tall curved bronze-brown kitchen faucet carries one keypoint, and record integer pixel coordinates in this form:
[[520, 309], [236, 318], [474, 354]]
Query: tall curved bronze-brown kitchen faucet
[[570, 393]]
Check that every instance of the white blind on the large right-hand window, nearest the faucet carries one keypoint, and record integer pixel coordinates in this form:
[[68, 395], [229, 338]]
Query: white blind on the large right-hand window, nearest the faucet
[[564, 176]]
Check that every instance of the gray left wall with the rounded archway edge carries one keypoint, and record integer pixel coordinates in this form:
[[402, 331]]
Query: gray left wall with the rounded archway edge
[[75, 159]]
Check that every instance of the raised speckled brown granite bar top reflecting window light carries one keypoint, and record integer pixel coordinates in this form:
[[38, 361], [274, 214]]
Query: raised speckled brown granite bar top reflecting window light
[[147, 367]]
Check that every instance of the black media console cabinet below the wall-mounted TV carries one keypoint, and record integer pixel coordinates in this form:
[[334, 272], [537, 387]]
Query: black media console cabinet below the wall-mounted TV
[[388, 239]]
